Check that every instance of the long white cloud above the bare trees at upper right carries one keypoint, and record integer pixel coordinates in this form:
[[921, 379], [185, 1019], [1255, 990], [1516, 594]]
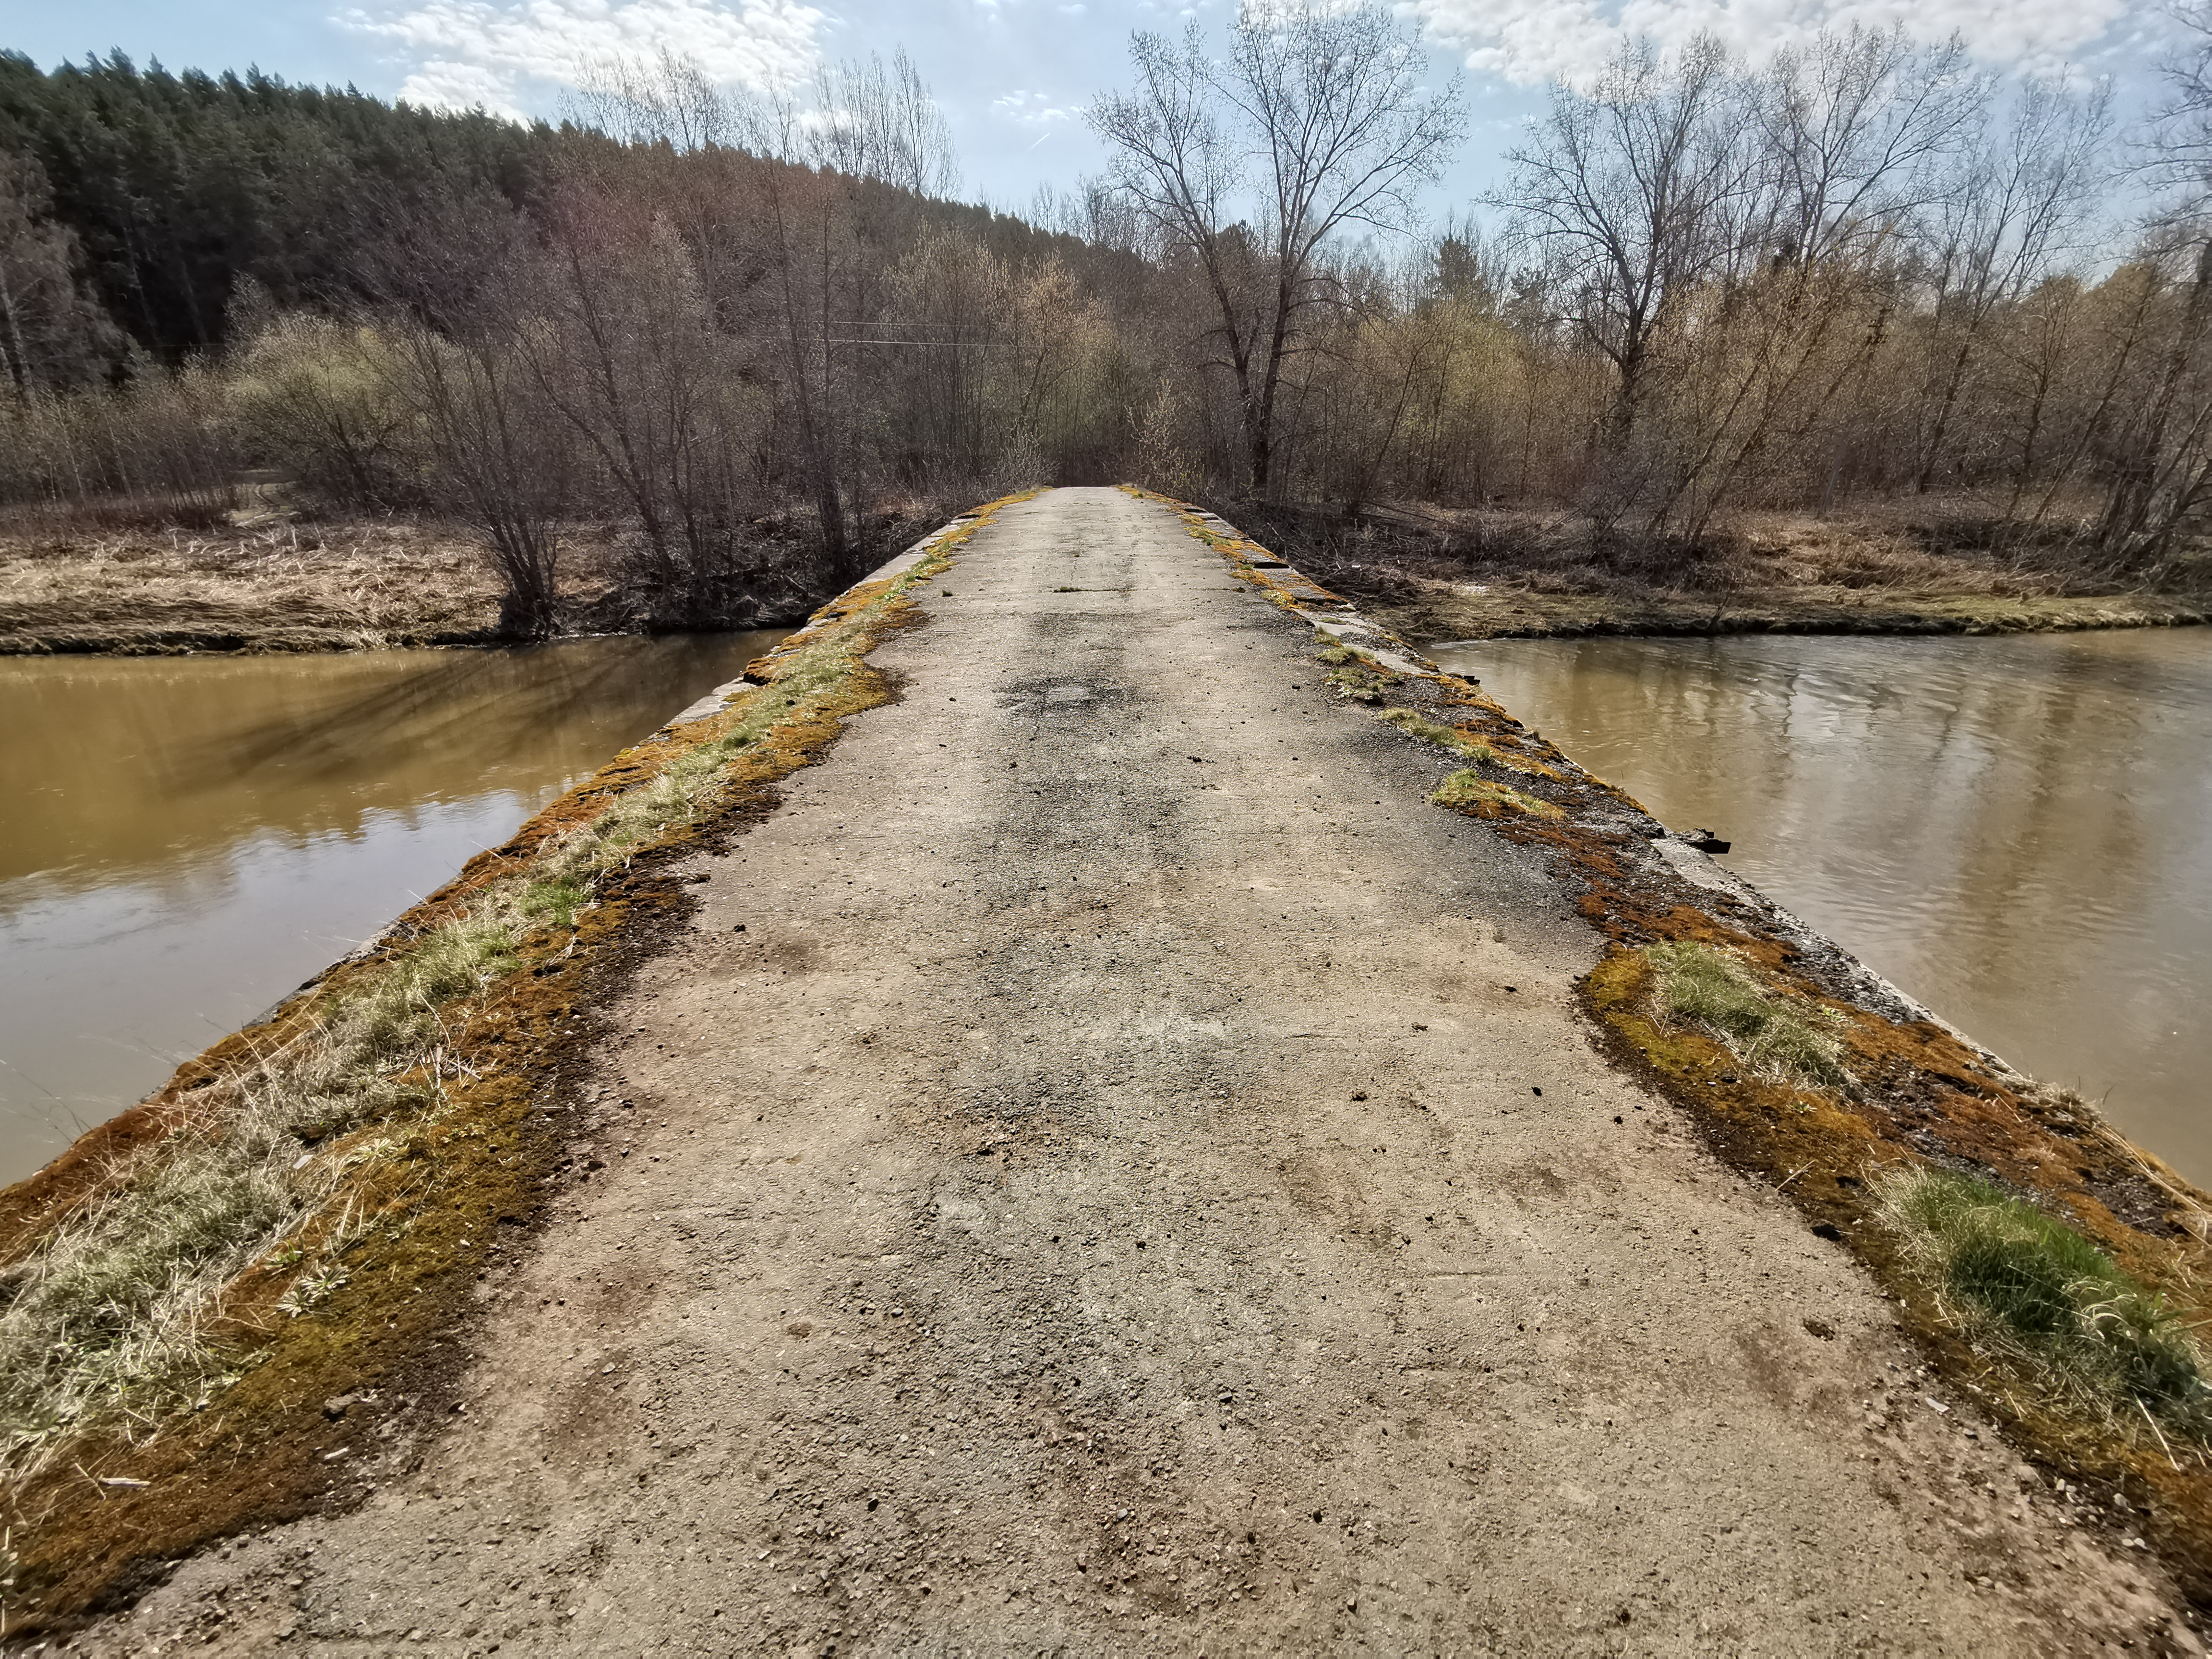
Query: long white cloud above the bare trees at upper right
[[1534, 41]]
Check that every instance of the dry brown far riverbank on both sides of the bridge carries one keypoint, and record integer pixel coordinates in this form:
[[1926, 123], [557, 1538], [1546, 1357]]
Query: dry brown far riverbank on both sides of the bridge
[[271, 585]]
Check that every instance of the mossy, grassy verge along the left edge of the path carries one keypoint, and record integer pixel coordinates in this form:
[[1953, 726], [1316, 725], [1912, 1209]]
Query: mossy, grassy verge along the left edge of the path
[[213, 1302]]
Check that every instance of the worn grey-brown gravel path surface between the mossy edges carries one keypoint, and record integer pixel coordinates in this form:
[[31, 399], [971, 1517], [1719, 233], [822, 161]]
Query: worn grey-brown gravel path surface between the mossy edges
[[1109, 1167]]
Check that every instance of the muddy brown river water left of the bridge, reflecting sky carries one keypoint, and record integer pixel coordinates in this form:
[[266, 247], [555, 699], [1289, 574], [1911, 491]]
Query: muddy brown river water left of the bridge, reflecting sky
[[187, 839]]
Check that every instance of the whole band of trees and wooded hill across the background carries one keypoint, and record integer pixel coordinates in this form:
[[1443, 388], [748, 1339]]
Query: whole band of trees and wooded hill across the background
[[1861, 271]]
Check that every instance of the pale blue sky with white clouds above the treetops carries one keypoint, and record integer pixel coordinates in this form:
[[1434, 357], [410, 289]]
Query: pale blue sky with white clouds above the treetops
[[1012, 74]]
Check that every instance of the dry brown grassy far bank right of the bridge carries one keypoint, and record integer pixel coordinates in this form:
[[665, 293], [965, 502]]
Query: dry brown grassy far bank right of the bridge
[[1906, 567]]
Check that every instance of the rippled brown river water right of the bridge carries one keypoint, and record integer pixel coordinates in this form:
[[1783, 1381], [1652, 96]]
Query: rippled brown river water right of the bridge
[[2016, 831]]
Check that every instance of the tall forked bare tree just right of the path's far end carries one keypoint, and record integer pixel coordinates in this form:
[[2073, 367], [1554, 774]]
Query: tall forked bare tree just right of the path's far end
[[1319, 112]]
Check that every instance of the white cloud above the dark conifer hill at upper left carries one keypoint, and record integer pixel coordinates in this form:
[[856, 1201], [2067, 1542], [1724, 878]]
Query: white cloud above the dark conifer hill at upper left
[[481, 52]]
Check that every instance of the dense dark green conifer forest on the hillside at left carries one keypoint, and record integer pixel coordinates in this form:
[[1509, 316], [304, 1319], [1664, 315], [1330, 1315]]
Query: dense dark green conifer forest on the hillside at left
[[180, 185]]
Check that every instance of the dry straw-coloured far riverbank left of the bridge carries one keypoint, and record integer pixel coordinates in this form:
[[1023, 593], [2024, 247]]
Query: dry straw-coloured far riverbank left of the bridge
[[273, 583]]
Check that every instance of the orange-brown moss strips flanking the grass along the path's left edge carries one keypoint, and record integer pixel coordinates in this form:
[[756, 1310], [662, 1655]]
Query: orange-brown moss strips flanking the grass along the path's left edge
[[355, 1304]]
